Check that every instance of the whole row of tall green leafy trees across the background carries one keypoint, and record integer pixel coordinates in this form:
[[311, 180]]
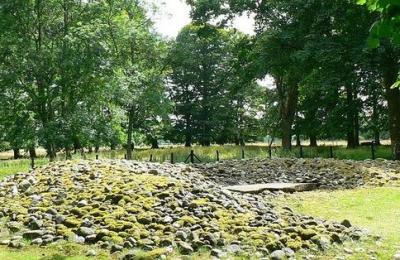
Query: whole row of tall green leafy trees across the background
[[88, 74]]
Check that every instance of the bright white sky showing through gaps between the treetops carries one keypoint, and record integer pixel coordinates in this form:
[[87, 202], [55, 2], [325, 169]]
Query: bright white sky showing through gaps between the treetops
[[173, 15]]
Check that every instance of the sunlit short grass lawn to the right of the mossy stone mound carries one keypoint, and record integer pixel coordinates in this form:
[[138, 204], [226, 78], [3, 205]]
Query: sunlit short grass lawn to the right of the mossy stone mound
[[376, 209]]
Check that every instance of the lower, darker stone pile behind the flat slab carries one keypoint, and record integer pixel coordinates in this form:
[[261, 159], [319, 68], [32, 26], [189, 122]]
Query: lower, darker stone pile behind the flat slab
[[327, 173]]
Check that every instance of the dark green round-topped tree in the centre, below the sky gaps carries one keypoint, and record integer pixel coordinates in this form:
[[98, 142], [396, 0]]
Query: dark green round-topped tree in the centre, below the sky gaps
[[198, 71]]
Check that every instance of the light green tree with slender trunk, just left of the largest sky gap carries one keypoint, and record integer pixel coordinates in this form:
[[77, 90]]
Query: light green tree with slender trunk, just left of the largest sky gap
[[137, 57]]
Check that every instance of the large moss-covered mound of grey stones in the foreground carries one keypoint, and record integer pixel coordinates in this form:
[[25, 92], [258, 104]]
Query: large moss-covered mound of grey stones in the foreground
[[122, 204]]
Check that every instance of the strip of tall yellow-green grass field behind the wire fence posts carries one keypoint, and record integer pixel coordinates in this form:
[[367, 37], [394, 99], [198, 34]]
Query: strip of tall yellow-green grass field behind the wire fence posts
[[205, 154]]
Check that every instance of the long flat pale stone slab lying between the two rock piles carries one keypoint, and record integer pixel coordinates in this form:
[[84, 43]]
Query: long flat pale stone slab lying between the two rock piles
[[285, 187]]
